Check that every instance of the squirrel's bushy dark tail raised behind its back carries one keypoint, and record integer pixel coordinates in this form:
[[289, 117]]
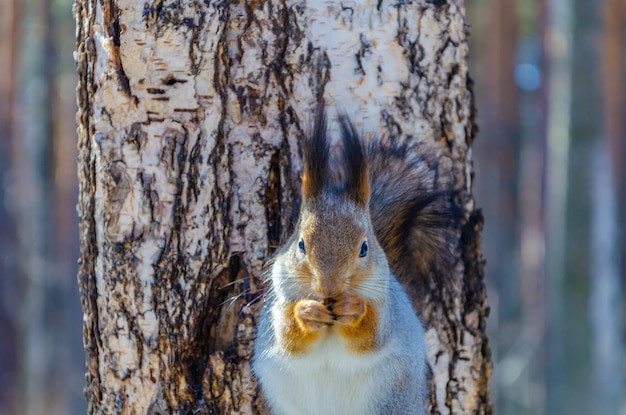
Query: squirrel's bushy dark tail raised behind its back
[[413, 220]]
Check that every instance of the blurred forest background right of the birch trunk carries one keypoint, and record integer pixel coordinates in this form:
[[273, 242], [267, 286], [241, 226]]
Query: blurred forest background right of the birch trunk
[[549, 166]]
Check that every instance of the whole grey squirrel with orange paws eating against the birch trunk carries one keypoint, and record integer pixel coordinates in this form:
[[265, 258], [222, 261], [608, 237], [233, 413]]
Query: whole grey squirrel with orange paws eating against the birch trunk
[[338, 334]]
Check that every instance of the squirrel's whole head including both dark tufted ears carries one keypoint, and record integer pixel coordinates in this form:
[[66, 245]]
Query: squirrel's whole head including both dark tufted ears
[[334, 249]]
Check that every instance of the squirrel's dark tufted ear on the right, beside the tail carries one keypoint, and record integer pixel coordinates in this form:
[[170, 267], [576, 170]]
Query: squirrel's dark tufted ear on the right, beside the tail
[[357, 172]]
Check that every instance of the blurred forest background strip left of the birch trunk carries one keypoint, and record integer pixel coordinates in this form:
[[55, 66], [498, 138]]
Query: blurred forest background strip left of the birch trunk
[[41, 357]]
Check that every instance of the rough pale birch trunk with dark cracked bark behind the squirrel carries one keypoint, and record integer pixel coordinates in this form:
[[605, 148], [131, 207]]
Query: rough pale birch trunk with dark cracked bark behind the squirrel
[[190, 117]]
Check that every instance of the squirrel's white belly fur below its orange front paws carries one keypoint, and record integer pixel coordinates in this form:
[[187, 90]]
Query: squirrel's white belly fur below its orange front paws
[[327, 380]]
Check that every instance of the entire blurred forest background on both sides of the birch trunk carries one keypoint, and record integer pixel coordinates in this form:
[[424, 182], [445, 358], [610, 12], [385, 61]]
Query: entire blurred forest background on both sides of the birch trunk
[[550, 175]]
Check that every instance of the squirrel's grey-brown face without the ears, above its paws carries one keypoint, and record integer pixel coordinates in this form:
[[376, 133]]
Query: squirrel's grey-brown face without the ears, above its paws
[[334, 251]]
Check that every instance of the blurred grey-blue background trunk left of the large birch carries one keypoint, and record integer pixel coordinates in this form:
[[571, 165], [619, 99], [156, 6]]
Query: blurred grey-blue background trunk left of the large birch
[[40, 284]]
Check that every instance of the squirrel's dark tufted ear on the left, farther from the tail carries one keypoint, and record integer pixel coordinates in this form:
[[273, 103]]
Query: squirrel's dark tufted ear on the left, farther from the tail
[[315, 157]]
